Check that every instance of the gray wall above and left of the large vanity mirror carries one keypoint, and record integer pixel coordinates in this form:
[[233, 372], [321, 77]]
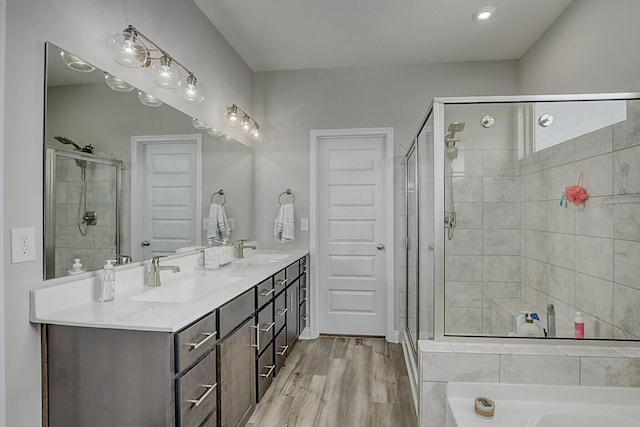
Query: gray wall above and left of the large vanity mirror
[[84, 27]]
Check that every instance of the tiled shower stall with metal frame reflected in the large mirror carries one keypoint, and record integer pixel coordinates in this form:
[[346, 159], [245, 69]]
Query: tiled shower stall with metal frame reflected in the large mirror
[[82, 206]]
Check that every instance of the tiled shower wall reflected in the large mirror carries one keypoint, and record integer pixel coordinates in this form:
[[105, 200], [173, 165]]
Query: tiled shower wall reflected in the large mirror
[[98, 244]]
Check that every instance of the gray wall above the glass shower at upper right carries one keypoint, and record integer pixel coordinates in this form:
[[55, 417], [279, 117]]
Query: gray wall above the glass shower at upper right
[[591, 48]]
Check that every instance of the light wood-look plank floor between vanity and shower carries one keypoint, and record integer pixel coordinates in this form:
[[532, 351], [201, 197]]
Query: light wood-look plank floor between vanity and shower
[[339, 382]]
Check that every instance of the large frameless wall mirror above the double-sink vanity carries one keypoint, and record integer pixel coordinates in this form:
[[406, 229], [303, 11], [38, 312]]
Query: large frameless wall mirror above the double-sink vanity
[[126, 180]]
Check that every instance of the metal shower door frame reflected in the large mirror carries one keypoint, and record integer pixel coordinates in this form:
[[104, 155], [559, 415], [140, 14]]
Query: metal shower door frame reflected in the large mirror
[[51, 154]]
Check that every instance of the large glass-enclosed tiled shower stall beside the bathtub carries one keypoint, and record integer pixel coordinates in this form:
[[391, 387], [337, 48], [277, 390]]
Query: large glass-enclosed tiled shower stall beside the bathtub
[[526, 204]]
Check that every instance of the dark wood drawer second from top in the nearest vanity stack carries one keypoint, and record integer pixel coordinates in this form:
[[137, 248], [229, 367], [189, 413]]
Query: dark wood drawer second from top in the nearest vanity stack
[[196, 392]]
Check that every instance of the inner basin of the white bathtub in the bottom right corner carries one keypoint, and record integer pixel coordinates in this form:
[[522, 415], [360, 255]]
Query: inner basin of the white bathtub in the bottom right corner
[[583, 419]]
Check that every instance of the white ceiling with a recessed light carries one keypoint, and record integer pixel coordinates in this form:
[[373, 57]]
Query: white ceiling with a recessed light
[[301, 34]]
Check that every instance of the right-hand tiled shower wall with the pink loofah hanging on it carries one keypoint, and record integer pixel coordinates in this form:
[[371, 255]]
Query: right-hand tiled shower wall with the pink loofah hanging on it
[[585, 258]]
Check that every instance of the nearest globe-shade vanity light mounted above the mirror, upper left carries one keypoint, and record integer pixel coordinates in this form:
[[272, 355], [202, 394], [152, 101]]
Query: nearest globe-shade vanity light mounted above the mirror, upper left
[[133, 49]]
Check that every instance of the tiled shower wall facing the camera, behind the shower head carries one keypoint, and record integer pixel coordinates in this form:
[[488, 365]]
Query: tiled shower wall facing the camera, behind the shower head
[[483, 259]]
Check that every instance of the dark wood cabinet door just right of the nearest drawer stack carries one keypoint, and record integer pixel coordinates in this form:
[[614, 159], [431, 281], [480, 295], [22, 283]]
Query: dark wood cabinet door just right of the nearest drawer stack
[[237, 375]]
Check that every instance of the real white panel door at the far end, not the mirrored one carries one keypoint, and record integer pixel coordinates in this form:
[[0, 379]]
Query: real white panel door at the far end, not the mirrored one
[[351, 230]]
